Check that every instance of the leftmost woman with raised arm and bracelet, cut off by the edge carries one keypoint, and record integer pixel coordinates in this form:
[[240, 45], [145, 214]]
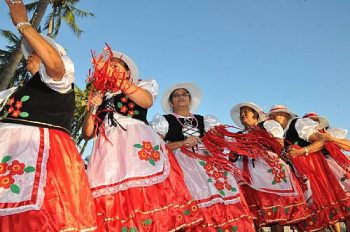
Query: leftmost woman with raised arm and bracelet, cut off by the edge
[[43, 184]]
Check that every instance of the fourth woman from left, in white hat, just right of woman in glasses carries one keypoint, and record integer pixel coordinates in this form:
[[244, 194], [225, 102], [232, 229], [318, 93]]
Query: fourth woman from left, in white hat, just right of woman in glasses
[[272, 191]]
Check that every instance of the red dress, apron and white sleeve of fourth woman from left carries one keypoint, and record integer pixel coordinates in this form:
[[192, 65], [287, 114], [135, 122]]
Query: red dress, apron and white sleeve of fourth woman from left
[[272, 190]]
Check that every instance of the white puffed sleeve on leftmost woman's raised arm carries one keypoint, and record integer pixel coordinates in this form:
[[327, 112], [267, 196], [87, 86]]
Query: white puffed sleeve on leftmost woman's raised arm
[[65, 84]]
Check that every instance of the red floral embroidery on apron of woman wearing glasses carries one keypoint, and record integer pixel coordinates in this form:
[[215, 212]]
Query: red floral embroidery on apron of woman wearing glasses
[[217, 177]]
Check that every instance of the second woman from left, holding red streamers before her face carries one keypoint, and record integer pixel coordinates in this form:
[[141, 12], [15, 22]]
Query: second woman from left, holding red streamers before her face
[[136, 183]]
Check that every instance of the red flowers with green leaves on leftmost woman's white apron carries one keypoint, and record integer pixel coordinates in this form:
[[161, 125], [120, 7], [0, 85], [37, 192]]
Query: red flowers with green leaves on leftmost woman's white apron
[[7, 172]]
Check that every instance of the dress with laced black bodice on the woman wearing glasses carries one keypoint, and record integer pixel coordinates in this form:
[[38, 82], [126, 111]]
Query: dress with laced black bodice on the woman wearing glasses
[[214, 189]]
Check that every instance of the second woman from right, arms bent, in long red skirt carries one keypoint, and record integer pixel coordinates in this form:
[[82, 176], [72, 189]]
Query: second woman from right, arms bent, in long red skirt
[[326, 197]]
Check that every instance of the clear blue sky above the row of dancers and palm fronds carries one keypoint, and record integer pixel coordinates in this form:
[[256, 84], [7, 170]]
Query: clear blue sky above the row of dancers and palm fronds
[[291, 52]]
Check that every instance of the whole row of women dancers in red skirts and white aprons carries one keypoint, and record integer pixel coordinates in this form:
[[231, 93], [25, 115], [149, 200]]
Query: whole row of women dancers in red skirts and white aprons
[[180, 172]]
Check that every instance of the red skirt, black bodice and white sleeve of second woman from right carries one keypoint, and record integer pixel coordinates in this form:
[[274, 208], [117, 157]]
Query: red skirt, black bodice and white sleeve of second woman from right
[[319, 172]]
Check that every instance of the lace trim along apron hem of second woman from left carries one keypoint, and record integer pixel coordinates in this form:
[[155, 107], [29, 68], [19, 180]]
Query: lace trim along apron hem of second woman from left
[[134, 183]]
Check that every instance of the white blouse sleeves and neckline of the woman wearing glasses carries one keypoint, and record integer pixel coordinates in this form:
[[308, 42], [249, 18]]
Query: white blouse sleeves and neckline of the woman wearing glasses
[[161, 125]]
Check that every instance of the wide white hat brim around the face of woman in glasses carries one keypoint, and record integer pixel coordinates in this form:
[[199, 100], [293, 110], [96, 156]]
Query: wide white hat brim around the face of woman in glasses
[[195, 92]]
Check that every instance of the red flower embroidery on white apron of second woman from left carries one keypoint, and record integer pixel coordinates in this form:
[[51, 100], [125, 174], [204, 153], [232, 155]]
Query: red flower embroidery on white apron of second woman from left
[[148, 152]]
